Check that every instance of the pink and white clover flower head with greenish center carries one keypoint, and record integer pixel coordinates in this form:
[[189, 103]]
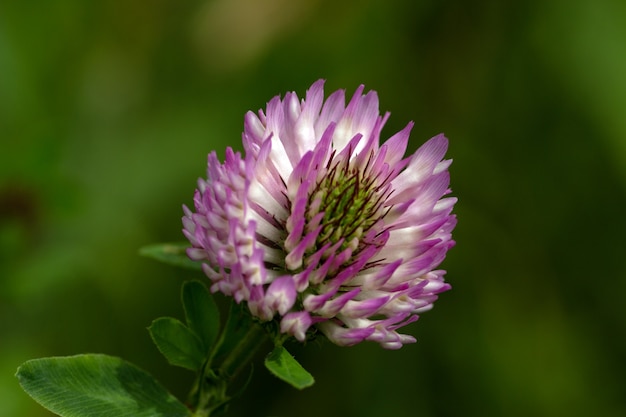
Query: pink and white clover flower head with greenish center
[[320, 226]]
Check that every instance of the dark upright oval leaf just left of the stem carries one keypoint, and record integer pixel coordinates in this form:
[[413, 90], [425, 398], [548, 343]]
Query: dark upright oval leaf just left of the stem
[[201, 312]]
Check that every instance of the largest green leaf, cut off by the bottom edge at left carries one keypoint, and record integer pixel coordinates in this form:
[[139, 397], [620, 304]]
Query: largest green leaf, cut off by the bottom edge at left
[[96, 386]]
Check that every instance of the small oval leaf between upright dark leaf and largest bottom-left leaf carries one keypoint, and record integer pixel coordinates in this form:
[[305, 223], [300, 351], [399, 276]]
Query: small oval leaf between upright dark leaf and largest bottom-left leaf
[[177, 343]]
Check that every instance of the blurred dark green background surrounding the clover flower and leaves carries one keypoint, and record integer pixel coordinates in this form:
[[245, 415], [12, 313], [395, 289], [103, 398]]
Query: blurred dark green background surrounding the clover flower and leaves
[[109, 108]]
